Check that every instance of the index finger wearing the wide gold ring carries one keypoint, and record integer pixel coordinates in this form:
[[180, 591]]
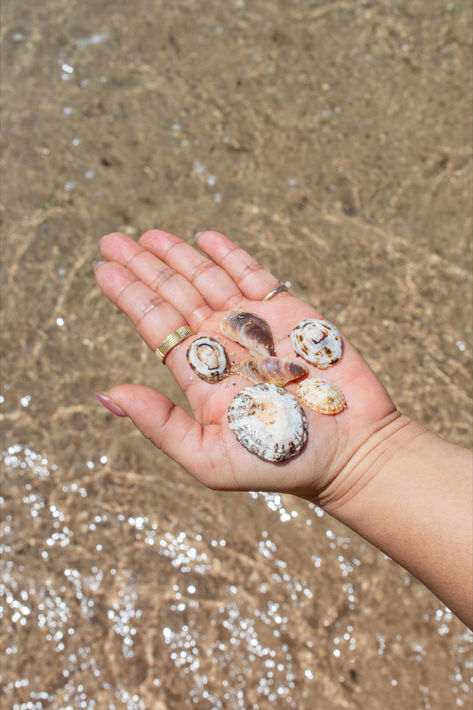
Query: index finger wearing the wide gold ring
[[154, 317]]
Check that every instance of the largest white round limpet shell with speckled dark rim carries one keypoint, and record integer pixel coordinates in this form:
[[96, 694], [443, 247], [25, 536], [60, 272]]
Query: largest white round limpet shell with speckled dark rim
[[268, 421]]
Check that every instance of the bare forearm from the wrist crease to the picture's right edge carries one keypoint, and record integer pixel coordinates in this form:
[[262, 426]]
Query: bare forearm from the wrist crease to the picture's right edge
[[410, 494]]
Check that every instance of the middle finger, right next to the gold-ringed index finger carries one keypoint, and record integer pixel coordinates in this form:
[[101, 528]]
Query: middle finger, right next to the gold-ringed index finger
[[163, 280]]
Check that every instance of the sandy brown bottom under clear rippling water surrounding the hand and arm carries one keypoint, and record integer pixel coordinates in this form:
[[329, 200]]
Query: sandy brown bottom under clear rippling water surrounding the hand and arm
[[332, 141]]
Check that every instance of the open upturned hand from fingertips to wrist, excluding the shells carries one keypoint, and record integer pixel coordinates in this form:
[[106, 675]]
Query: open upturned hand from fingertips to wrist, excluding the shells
[[162, 283]]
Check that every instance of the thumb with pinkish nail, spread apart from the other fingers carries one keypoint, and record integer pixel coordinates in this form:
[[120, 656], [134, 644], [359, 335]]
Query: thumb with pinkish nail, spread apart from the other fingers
[[161, 421]]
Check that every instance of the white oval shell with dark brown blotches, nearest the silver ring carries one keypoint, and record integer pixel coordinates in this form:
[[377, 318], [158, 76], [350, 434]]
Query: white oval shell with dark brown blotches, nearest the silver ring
[[318, 341]]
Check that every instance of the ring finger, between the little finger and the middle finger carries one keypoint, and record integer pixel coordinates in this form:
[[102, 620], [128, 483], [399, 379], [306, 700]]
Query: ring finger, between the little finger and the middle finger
[[216, 286]]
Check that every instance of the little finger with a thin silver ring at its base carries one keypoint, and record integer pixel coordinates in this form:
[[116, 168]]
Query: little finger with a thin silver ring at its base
[[252, 279]]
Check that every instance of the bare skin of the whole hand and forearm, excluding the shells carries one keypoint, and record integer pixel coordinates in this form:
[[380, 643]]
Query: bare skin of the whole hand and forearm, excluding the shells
[[398, 485]]
